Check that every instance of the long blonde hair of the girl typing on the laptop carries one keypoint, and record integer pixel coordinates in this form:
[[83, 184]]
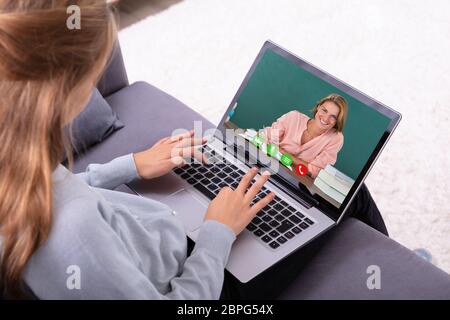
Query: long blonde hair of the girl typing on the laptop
[[46, 72]]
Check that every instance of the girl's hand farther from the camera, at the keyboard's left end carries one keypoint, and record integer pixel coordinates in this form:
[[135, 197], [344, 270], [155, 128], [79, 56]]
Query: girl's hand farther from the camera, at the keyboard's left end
[[167, 154]]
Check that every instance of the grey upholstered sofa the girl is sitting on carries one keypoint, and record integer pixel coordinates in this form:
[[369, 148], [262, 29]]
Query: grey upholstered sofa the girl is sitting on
[[342, 268]]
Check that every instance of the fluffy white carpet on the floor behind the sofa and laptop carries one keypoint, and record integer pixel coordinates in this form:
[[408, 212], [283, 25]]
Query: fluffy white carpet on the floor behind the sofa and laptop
[[396, 51]]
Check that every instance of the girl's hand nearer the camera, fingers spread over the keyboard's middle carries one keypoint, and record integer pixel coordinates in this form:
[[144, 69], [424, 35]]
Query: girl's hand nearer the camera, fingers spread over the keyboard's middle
[[233, 209]]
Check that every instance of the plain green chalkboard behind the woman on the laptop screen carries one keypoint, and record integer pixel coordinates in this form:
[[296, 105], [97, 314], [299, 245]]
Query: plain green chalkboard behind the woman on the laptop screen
[[278, 86]]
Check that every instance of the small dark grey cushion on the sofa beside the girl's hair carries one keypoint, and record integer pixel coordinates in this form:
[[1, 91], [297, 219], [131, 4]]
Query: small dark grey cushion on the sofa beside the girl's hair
[[96, 122]]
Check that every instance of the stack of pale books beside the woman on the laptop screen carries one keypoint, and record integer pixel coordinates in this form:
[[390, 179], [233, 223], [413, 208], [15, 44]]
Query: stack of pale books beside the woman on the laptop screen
[[333, 183]]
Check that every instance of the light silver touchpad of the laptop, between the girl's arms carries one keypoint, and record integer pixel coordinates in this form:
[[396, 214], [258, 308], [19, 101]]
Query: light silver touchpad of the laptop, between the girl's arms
[[187, 208]]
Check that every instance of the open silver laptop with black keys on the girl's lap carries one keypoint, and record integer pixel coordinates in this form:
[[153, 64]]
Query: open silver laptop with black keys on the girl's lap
[[306, 206]]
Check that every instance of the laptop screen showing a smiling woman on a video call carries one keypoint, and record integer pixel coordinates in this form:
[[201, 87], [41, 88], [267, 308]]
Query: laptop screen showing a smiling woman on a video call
[[315, 133]]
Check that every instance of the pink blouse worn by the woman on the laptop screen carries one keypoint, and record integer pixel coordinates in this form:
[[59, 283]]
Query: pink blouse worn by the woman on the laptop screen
[[318, 152]]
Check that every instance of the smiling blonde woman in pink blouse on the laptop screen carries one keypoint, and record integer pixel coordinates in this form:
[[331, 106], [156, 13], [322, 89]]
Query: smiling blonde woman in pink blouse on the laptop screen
[[314, 142]]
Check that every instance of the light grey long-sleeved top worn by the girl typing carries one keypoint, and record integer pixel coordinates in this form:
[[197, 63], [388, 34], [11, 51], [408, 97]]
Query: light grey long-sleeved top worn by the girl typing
[[106, 244]]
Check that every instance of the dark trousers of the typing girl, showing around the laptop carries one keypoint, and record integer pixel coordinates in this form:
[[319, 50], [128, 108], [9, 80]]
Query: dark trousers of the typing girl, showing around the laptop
[[272, 282]]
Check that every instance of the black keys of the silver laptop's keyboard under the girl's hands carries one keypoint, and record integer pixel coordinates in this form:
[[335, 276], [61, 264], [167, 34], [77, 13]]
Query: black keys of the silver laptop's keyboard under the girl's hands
[[274, 225]]
